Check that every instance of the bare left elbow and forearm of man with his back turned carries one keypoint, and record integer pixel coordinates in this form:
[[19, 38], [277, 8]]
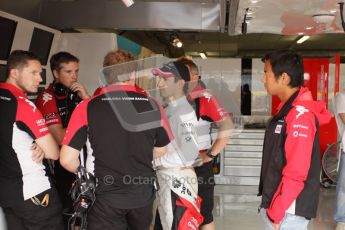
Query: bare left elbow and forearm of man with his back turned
[[69, 158]]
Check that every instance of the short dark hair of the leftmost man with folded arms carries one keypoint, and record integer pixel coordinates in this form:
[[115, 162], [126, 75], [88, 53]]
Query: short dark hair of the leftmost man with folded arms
[[18, 59]]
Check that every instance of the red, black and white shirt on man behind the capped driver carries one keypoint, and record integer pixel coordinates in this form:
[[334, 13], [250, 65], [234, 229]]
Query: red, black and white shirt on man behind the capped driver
[[208, 110]]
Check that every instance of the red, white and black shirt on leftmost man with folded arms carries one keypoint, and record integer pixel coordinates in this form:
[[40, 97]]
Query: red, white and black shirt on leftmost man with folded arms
[[21, 123]]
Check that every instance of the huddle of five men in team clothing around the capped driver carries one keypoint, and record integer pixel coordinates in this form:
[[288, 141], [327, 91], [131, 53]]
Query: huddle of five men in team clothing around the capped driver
[[122, 133]]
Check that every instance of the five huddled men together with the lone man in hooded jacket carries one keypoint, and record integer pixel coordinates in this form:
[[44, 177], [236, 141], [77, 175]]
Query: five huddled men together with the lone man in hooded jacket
[[142, 153]]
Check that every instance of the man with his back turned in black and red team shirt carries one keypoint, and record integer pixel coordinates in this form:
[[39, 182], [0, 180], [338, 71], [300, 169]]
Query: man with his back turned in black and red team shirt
[[124, 129]]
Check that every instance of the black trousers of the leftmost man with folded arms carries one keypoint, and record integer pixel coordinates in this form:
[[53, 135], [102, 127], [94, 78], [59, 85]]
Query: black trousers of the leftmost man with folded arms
[[28, 216]]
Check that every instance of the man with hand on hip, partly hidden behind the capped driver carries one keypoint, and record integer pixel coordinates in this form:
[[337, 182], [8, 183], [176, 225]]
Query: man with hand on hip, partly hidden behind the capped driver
[[209, 111]]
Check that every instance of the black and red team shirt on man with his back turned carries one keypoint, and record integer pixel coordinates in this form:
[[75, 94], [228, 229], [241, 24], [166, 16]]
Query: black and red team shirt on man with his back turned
[[120, 127]]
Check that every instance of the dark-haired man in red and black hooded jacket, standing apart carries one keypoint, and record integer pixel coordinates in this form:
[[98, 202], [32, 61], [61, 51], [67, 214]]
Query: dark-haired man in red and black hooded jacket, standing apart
[[290, 169]]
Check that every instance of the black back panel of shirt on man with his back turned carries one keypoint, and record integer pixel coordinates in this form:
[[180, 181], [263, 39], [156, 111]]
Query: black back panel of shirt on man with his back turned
[[125, 156]]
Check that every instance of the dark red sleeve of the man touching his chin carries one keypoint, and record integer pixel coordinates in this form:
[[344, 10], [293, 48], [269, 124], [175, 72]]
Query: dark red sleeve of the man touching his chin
[[46, 103]]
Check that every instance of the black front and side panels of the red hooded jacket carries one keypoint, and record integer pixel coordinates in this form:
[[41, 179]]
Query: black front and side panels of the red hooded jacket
[[273, 162]]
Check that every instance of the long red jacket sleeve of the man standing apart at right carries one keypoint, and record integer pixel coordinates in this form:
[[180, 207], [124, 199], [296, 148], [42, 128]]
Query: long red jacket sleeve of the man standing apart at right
[[300, 130]]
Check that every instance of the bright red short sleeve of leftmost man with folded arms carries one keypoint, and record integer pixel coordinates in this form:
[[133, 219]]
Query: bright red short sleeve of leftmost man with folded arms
[[31, 117]]
